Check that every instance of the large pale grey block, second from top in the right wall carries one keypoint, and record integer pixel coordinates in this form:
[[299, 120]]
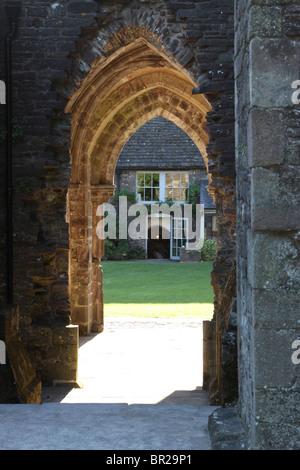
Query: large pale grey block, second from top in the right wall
[[274, 66]]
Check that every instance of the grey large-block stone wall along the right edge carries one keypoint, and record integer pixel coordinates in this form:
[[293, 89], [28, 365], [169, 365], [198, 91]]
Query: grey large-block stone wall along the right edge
[[267, 162]]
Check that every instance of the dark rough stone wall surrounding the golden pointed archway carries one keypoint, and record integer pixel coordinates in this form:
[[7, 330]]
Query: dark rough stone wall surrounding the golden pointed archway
[[54, 49]]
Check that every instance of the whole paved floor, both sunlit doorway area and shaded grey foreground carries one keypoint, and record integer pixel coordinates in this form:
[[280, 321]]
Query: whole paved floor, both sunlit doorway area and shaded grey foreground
[[141, 390]]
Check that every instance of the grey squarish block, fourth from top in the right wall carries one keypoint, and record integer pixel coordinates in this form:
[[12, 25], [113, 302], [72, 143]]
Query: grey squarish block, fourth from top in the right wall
[[275, 199]]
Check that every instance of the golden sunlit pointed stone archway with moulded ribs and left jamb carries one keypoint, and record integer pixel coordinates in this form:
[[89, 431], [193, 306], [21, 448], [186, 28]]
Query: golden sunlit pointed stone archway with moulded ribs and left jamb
[[122, 92]]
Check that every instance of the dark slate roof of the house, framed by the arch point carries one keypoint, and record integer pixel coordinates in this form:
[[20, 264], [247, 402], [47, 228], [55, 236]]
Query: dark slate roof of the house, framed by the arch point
[[160, 144]]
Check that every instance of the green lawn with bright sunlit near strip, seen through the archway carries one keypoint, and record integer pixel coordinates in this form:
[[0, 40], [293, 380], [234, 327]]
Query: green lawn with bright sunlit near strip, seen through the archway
[[146, 289]]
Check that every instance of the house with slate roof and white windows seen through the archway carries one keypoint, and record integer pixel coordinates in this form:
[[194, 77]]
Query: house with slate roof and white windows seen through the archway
[[161, 156]]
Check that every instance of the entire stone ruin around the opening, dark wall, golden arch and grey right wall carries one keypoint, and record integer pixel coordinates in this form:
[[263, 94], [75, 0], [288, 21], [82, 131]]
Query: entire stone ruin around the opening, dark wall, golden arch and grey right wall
[[81, 78]]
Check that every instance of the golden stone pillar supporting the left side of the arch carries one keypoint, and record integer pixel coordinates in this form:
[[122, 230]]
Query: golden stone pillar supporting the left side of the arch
[[86, 250]]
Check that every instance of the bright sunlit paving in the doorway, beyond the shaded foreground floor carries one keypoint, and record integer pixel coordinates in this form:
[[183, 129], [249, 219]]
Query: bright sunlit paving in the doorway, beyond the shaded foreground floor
[[138, 361]]
